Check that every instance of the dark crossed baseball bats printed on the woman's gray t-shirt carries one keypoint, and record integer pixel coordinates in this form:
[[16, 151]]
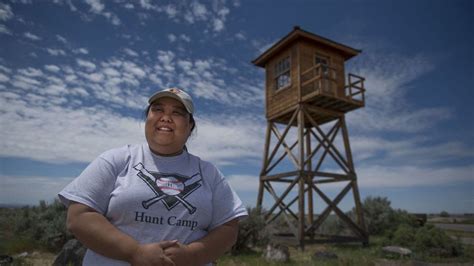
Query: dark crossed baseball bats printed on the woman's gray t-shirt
[[150, 180]]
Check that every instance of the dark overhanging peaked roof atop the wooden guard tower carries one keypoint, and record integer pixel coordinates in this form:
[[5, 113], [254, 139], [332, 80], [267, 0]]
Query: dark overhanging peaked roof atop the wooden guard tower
[[296, 34]]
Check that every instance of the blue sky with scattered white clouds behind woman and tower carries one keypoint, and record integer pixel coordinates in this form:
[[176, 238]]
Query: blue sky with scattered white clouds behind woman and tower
[[75, 77]]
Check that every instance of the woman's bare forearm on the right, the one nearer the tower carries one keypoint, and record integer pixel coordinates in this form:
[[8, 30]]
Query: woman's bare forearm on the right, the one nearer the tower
[[206, 249]]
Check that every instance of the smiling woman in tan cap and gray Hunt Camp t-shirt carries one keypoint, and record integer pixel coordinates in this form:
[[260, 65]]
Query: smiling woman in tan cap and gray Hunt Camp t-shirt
[[155, 203]]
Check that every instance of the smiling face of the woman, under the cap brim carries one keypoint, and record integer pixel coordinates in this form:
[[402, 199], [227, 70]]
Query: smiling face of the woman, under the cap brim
[[167, 126]]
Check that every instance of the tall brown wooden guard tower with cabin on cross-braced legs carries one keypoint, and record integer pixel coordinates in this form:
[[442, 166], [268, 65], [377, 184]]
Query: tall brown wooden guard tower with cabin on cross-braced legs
[[306, 91]]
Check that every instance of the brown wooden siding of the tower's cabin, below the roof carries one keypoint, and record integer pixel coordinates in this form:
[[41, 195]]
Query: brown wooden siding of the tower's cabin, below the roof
[[313, 84]]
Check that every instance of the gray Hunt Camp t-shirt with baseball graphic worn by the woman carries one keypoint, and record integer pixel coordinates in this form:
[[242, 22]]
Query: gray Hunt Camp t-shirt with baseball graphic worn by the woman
[[154, 198]]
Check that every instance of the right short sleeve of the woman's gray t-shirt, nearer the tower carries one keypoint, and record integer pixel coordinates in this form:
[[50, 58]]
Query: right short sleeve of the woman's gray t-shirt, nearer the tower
[[225, 202]]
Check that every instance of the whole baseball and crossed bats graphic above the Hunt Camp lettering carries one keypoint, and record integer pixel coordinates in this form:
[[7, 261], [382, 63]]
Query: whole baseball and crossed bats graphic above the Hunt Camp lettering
[[169, 188]]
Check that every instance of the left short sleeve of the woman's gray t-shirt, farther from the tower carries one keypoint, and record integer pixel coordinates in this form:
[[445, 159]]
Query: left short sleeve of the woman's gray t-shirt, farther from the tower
[[92, 187]]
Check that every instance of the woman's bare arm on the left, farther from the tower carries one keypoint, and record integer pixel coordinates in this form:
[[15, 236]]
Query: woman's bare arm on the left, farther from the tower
[[99, 235]]
